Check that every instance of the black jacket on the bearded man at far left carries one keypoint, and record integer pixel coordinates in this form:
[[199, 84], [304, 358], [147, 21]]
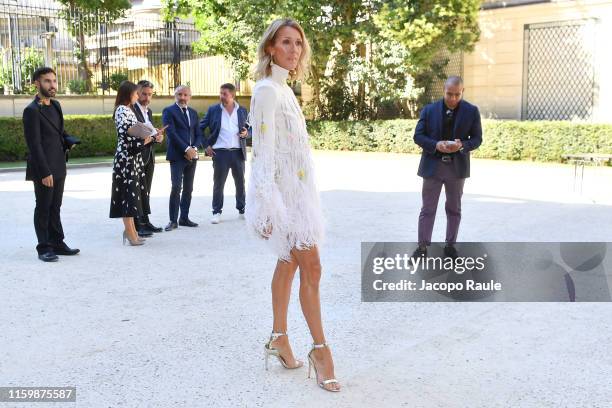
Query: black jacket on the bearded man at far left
[[47, 146]]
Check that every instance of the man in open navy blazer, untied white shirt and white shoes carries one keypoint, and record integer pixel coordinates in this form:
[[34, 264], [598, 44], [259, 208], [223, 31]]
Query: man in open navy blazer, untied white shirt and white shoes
[[226, 145]]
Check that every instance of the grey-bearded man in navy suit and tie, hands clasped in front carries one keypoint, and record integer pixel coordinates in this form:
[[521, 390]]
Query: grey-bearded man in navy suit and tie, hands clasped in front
[[184, 138]]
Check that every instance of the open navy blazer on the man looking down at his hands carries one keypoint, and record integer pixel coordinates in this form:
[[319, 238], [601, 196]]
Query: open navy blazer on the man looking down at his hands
[[429, 131]]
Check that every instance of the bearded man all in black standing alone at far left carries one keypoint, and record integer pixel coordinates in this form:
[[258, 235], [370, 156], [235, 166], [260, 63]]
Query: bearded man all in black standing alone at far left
[[48, 146]]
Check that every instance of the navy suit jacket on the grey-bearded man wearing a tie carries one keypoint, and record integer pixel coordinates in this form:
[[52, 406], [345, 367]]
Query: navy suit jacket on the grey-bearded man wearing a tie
[[179, 134]]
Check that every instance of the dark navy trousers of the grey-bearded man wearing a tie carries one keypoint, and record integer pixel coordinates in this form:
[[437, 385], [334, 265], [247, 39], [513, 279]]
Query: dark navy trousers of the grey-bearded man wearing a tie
[[181, 173]]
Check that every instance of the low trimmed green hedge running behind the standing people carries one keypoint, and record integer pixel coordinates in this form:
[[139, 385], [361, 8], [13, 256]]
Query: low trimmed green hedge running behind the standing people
[[508, 140]]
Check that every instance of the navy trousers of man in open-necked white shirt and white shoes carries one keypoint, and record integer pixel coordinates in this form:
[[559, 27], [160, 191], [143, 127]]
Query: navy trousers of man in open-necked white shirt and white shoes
[[223, 161]]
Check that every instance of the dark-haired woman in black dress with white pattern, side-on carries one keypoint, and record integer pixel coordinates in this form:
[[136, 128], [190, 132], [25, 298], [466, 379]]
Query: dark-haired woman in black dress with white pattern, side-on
[[128, 167]]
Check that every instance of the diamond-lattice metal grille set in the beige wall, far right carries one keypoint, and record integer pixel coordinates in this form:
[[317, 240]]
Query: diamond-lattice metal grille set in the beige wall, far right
[[559, 71]]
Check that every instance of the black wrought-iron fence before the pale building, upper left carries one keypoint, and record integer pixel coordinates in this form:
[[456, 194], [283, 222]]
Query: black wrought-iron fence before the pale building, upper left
[[92, 54]]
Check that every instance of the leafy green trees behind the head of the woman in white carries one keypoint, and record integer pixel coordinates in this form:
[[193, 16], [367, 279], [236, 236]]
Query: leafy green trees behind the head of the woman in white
[[363, 56]]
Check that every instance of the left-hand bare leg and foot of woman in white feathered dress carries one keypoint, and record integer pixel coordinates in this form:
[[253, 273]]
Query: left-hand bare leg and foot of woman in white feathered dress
[[281, 292]]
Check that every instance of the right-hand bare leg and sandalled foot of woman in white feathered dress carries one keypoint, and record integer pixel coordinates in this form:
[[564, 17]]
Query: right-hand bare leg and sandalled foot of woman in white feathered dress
[[310, 275]]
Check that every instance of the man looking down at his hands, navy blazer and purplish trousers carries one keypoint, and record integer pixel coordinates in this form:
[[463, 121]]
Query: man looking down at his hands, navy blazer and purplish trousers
[[447, 131]]
